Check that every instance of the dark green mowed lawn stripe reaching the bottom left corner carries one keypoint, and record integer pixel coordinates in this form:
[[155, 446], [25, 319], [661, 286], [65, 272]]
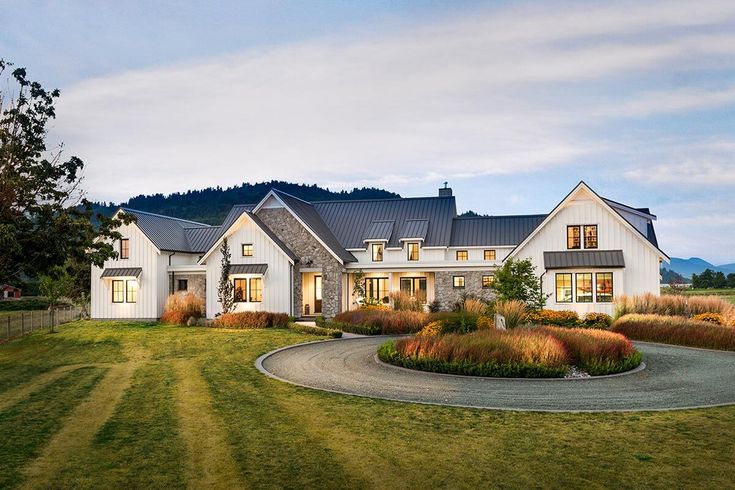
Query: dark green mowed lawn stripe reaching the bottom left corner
[[27, 425]]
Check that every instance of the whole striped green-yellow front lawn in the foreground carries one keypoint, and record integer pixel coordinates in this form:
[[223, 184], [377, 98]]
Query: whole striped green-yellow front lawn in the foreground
[[114, 405]]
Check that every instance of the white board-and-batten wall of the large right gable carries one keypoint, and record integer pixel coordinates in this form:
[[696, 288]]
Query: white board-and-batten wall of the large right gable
[[641, 272]]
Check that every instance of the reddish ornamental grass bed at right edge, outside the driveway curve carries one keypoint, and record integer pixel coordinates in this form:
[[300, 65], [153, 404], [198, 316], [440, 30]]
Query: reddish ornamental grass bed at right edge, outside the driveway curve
[[676, 330]]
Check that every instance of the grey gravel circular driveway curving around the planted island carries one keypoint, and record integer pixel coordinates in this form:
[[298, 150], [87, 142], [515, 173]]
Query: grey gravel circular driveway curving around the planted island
[[673, 378]]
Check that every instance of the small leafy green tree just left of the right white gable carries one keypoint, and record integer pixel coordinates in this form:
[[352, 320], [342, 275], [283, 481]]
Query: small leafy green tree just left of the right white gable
[[517, 280]]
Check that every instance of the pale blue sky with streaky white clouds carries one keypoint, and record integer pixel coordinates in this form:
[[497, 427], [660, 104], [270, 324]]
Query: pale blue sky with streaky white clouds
[[512, 103]]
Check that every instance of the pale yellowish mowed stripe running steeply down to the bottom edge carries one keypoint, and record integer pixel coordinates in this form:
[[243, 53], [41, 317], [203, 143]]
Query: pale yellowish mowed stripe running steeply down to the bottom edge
[[209, 463]]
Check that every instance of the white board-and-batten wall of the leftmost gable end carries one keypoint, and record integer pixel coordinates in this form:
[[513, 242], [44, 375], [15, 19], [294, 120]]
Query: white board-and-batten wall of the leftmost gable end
[[152, 290]]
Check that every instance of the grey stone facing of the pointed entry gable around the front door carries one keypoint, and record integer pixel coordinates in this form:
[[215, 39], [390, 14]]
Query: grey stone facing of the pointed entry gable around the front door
[[312, 255]]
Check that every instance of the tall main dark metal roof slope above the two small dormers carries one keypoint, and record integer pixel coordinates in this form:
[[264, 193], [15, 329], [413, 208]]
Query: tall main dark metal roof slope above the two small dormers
[[349, 220]]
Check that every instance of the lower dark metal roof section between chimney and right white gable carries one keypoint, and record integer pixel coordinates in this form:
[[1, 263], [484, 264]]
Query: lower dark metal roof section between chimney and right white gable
[[493, 230]]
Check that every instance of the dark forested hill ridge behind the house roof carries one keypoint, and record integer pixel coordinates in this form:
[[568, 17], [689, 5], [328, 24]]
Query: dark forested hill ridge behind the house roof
[[212, 204]]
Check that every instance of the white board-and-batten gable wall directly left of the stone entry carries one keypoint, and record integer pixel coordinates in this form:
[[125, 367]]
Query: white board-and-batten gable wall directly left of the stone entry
[[276, 281]]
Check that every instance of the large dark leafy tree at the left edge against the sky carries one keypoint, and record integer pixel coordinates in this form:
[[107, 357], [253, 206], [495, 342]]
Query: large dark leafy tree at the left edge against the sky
[[45, 219]]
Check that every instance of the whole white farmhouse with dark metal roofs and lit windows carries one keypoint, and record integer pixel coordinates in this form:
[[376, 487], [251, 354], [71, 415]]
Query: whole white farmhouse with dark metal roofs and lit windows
[[299, 257]]
